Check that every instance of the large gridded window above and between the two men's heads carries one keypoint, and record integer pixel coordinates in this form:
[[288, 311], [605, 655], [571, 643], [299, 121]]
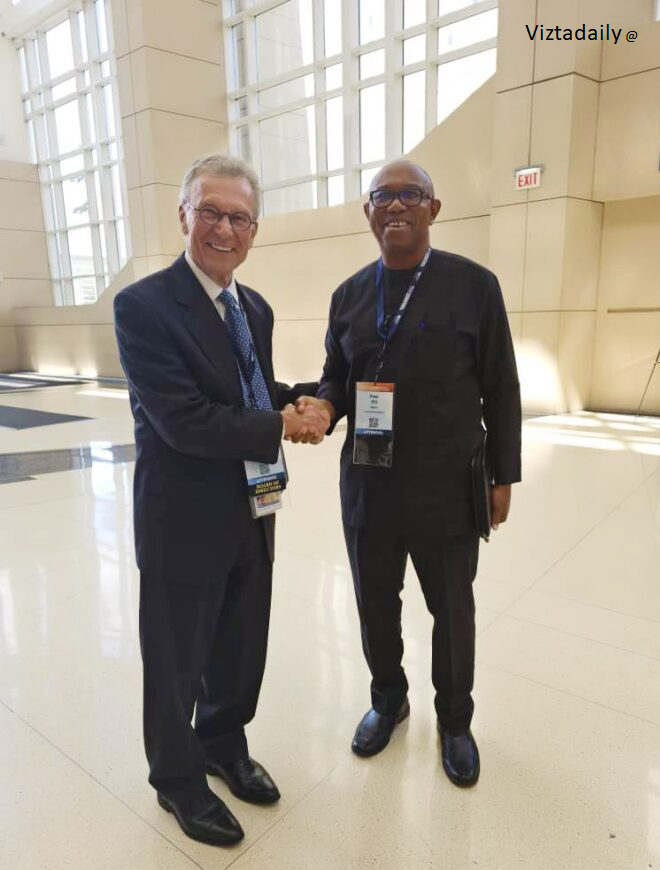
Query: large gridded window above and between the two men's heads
[[323, 92]]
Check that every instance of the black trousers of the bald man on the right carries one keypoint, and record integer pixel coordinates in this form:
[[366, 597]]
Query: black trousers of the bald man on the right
[[446, 568]]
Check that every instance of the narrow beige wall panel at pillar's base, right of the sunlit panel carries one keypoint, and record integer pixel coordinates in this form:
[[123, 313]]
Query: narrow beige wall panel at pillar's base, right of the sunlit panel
[[577, 331]]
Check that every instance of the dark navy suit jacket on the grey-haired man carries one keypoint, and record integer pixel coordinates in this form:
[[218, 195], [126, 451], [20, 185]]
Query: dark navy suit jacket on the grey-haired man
[[192, 431]]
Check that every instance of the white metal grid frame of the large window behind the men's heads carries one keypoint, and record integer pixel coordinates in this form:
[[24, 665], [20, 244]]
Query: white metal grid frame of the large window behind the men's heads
[[392, 77]]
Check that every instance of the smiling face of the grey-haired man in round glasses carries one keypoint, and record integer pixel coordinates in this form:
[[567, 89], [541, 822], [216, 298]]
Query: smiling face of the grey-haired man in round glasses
[[219, 249]]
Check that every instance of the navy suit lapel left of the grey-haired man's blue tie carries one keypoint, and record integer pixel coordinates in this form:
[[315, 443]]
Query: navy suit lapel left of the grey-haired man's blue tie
[[205, 325]]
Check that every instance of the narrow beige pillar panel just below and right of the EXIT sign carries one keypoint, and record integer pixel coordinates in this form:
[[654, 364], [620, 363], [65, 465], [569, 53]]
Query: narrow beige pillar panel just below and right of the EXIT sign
[[581, 255]]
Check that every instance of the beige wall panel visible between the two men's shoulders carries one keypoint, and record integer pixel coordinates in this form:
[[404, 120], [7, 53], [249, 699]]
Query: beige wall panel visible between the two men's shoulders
[[299, 278]]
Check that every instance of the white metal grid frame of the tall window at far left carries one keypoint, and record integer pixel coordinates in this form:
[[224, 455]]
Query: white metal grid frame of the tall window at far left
[[101, 151]]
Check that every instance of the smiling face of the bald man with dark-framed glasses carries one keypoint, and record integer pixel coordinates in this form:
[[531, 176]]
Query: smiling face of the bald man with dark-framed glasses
[[402, 231]]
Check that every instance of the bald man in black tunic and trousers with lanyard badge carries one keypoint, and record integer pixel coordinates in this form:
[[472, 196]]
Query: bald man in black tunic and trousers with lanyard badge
[[433, 325]]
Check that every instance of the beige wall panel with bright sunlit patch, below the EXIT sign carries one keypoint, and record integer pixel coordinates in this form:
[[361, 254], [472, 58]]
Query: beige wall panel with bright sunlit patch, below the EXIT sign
[[538, 369]]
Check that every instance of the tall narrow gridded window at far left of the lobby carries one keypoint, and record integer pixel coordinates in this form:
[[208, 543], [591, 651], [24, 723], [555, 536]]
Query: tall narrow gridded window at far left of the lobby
[[69, 100]]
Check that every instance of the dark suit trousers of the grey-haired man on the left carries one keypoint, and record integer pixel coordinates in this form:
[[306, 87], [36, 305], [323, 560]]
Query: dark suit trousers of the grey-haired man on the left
[[203, 649]]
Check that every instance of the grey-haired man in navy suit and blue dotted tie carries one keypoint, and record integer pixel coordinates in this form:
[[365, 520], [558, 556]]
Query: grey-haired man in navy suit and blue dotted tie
[[196, 349]]
